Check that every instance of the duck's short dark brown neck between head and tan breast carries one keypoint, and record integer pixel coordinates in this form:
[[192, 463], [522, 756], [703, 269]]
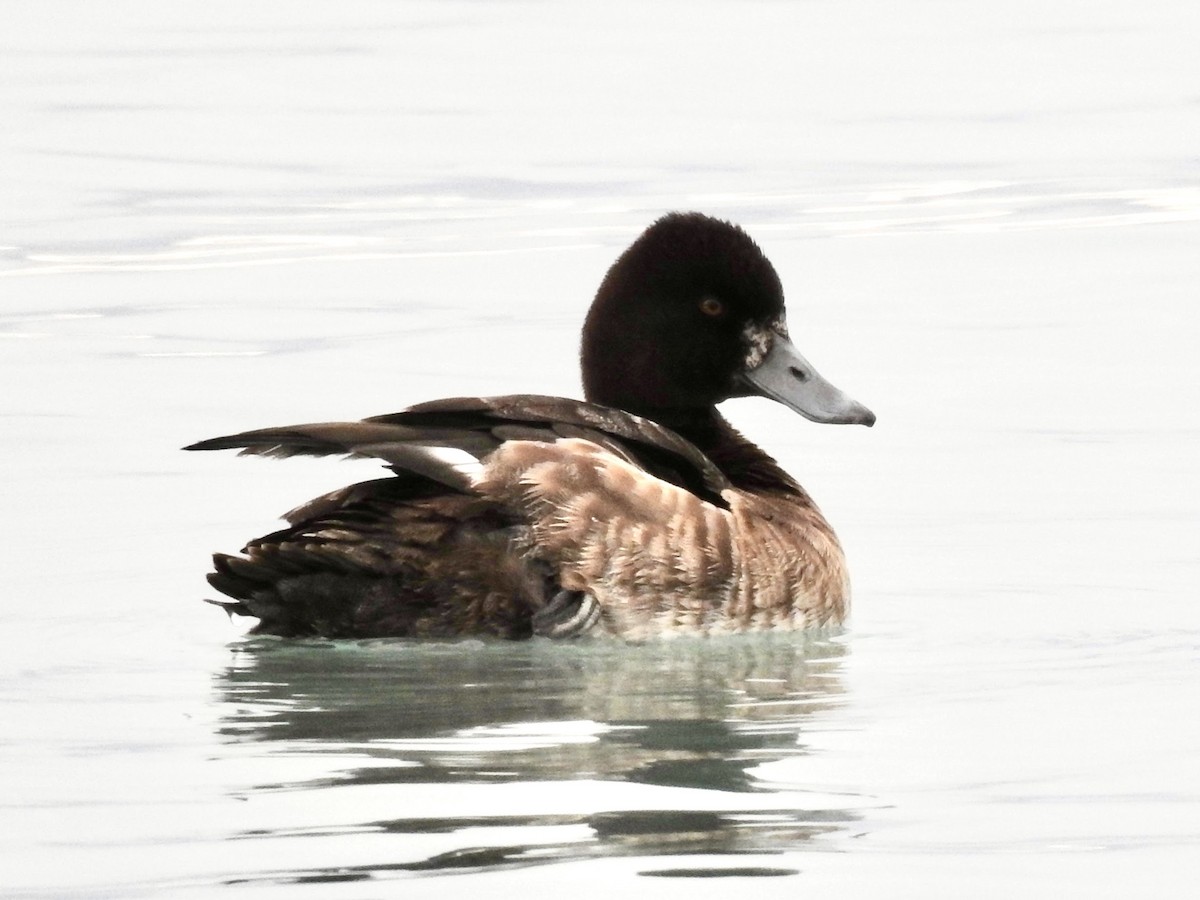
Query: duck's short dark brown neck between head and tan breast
[[742, 461]]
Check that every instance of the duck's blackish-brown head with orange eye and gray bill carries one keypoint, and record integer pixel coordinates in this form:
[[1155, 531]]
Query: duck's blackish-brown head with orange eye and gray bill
[[693, 315]]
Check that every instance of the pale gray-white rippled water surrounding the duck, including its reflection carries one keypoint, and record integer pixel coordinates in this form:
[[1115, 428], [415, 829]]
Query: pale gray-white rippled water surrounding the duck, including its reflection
[[988, 219]]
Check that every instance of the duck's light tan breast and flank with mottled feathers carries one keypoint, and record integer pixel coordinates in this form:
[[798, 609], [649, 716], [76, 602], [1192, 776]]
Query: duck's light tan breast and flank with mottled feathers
[[659, 560]]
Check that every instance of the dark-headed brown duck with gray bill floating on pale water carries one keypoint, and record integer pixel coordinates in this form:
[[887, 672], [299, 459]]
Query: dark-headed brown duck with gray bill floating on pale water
[[638, 513]]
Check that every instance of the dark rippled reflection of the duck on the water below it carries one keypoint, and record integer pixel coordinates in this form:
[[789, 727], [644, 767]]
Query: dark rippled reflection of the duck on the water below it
[[638, 751]]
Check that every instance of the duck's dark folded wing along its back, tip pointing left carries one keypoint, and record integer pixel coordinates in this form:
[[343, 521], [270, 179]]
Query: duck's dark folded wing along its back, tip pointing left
[[479, 425]]
